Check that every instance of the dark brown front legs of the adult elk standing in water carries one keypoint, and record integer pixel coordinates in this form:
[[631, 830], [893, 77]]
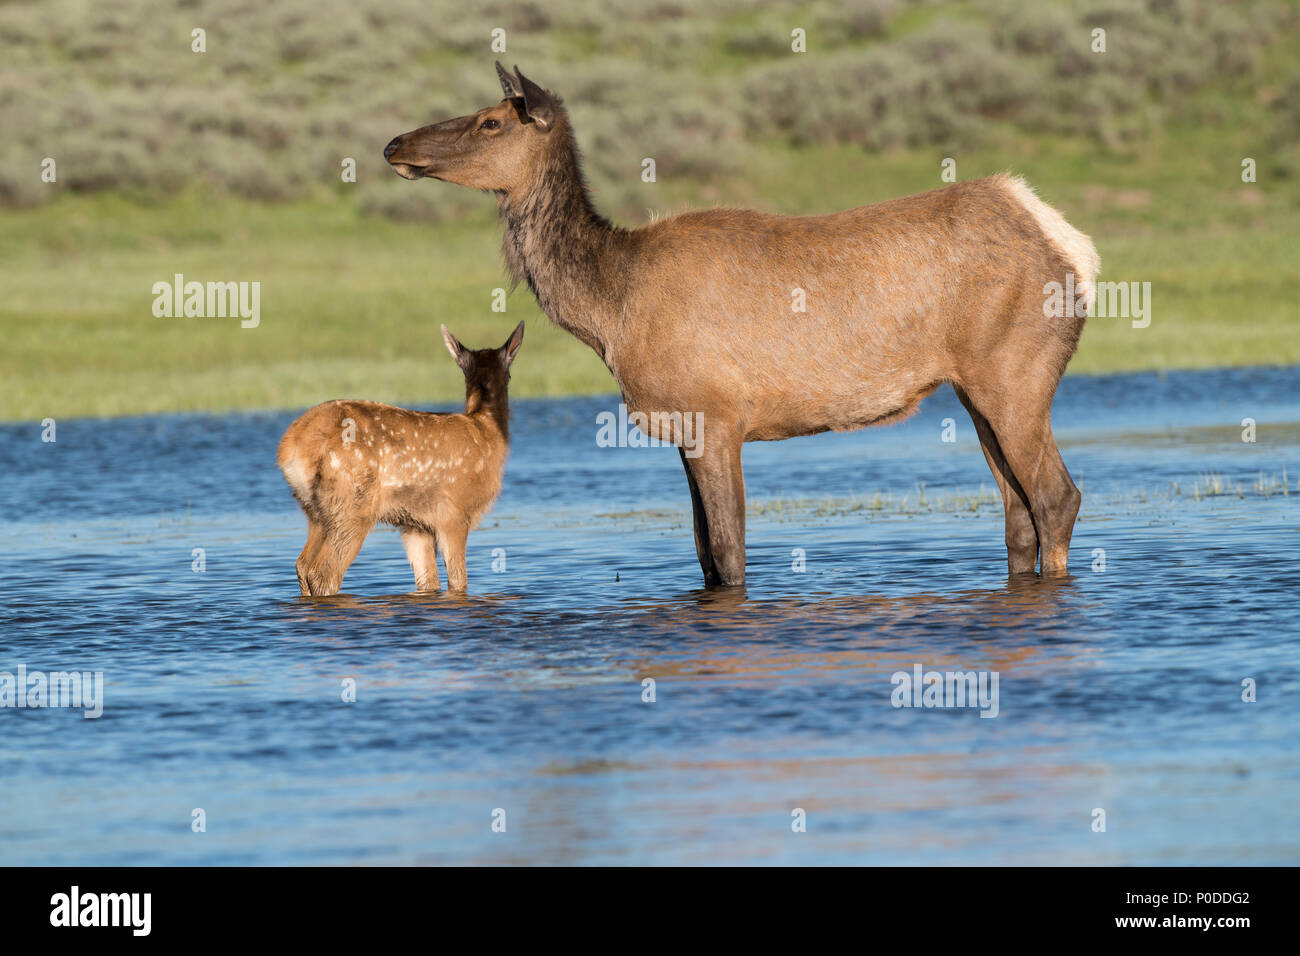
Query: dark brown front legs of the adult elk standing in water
[[718, 496]]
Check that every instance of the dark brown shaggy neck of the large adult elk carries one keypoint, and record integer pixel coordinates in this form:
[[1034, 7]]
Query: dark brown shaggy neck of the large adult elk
[[564, 249]]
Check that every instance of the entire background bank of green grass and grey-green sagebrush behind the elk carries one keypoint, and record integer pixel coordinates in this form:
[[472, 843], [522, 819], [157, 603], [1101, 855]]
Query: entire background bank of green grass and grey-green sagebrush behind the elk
[[224, 166]]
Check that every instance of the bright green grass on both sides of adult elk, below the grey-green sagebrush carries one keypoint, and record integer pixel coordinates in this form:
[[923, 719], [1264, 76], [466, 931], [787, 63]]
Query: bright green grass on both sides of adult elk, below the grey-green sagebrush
[[352, 304]]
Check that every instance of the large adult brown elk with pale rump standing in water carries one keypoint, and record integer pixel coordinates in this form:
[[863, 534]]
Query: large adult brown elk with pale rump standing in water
[[697, 313]]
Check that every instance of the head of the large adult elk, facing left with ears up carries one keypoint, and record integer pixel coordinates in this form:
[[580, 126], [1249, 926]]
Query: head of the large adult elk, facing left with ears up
[[493, 149]]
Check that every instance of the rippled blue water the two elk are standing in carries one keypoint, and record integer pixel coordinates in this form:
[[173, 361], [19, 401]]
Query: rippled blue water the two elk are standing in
[[1120, 689]]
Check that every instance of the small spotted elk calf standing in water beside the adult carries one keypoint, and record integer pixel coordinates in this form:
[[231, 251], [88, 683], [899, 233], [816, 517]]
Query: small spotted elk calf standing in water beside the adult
[[432, 475]]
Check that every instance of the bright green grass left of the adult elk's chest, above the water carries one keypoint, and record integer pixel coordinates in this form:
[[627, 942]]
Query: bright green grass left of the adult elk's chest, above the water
[[350, 308]]
